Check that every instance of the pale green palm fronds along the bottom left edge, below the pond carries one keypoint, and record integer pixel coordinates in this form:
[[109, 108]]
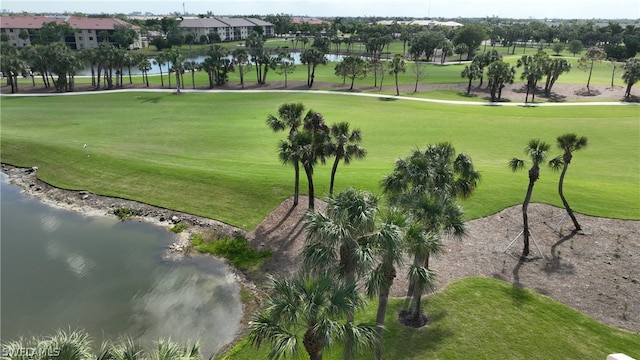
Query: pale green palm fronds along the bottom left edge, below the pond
[[77, 345]]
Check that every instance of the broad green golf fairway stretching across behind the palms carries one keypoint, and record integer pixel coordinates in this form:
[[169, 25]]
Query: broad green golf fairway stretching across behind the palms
[[211, 154]]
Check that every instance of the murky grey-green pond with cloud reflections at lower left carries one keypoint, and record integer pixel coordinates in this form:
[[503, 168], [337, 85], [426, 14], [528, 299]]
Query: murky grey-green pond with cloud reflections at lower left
[[60, 269]]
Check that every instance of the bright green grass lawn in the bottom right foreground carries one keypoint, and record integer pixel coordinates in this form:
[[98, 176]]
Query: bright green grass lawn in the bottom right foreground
[[483, 318]]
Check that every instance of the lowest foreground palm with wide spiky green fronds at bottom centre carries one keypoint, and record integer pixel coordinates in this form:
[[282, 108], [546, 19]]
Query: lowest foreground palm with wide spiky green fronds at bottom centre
[[306, 311]]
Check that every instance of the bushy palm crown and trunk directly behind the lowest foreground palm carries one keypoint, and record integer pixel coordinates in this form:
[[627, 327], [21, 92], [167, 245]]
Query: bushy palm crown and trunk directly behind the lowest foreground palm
[[339, 244]]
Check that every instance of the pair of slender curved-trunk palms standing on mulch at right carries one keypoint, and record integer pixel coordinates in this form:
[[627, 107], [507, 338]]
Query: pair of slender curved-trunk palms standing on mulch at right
[[538, 150]]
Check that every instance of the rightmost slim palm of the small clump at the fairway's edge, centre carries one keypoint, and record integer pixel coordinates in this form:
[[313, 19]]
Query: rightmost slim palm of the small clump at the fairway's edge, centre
[[344, 147]]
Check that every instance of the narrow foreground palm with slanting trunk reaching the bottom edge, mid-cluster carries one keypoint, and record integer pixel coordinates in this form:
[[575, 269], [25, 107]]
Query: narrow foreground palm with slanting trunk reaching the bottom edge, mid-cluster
[[388, 245]]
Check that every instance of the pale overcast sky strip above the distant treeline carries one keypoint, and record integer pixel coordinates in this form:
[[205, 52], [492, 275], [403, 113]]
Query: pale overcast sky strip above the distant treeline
[[524, 9]]
